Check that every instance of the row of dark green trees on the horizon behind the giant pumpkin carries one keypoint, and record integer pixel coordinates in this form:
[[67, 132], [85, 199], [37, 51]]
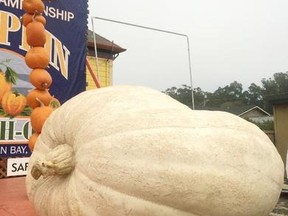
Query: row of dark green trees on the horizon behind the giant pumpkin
[[233, 94]]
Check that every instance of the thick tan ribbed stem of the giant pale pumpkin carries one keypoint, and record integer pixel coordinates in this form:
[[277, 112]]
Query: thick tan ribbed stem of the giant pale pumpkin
[[60, 161]]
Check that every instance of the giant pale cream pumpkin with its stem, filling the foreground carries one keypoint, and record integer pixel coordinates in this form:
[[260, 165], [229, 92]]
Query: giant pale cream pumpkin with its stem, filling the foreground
[[120, 151]]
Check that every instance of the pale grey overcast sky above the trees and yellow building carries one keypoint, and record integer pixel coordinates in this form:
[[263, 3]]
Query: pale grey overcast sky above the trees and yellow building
[[230, 40]]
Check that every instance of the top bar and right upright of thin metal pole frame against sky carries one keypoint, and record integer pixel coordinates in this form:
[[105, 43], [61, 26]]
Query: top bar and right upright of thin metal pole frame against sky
[[164, 31]]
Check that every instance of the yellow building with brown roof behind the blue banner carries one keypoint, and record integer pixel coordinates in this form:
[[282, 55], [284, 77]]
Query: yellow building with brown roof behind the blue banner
[[100, 66]]
